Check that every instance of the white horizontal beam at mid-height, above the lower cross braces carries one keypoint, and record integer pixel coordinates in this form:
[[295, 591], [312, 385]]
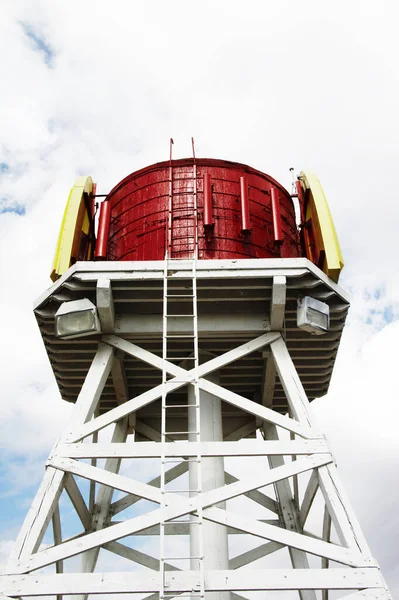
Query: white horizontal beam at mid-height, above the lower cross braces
[[188, 449]]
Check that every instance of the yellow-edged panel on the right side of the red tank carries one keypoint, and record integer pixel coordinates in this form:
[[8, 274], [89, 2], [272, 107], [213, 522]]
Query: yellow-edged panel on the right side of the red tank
[[318, 212]]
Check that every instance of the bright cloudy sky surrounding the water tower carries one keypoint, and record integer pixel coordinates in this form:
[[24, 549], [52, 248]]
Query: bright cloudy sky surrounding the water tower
[[98, 88]]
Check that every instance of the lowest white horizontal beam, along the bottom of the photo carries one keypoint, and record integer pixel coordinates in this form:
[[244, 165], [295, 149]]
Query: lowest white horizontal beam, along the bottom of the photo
[[186, 581]]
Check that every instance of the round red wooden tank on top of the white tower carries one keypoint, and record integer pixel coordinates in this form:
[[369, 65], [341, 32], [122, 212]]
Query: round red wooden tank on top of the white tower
[[153, 211]]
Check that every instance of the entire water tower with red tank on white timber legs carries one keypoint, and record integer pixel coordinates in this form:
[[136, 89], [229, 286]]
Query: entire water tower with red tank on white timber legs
[[191, 321]]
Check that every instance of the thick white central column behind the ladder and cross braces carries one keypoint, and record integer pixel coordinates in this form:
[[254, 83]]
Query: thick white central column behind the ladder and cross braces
[[214, 535]]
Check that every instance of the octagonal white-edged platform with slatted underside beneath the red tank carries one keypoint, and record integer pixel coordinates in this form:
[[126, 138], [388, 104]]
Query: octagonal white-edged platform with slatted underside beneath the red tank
[[234, 306]]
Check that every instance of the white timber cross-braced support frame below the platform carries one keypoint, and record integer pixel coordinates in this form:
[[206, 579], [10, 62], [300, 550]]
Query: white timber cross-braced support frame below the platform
[[363, 574]]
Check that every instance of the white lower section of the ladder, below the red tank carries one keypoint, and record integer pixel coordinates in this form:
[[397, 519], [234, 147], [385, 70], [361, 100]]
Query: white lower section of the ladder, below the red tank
[[172, 298]]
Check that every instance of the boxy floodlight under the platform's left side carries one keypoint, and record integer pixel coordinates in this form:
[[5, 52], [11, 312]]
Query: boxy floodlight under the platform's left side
[[77, 318]]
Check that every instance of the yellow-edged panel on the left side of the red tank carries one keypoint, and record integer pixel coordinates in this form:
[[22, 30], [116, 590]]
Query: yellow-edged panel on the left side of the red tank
[[74, 222]]
